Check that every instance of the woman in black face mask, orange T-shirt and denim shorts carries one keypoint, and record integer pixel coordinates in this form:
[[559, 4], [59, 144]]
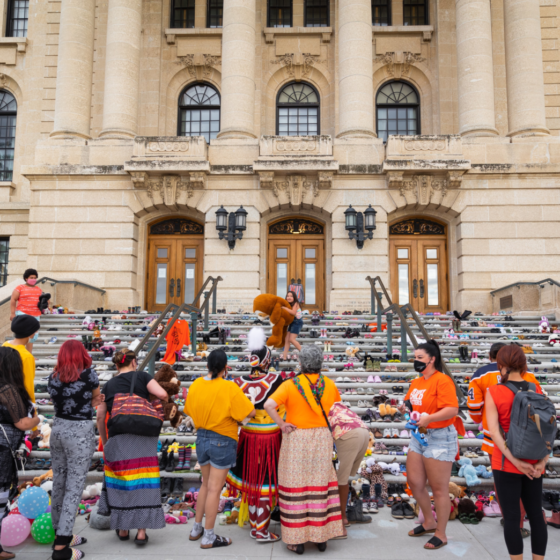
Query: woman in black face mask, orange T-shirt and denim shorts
[[433, 396]]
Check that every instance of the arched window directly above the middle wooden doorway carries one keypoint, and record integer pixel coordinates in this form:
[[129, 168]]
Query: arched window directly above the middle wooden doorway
[[297, 111]]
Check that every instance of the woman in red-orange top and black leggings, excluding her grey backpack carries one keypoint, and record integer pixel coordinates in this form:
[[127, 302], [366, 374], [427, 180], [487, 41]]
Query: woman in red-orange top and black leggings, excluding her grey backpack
[[515, 478]]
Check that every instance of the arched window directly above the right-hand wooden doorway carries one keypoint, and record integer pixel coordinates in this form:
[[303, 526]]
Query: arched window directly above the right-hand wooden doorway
[[398, 110]]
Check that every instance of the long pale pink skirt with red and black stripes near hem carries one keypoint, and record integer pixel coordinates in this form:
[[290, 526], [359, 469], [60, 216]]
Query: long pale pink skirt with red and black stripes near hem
[[308, 489]]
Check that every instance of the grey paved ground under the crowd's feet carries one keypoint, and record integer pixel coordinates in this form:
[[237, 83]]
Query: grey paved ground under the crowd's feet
[[384, 539]]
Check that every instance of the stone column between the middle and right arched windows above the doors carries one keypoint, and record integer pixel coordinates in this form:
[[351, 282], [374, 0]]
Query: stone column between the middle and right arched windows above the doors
[[355, 68]]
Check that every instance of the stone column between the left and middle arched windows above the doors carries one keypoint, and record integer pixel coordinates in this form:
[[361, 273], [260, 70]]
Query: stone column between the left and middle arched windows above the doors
[[238, 70]]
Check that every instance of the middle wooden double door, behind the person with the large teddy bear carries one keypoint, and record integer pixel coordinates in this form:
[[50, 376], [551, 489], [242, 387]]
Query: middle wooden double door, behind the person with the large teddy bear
[[292, 258]]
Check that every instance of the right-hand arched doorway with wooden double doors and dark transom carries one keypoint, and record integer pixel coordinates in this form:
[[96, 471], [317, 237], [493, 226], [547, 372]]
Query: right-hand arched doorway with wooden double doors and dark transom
[[418, 264]]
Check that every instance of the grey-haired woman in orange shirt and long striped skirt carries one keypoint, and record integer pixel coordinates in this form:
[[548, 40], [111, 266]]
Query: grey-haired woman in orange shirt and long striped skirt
[[307, 484]]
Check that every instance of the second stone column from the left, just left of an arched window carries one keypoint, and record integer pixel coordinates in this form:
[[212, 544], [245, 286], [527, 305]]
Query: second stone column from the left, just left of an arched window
[[122, 69]]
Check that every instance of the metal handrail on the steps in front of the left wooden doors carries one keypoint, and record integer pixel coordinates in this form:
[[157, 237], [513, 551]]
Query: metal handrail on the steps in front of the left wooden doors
[[177, 311]]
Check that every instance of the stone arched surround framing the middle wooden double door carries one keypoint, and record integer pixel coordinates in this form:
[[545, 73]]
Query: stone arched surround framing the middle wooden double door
[[320, 216]]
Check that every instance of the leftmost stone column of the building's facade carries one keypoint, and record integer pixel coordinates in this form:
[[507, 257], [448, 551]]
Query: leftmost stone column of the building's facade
[[72, 109]]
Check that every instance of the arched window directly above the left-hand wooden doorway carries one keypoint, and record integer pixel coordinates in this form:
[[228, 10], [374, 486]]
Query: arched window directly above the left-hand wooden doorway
[[199, 112]]
